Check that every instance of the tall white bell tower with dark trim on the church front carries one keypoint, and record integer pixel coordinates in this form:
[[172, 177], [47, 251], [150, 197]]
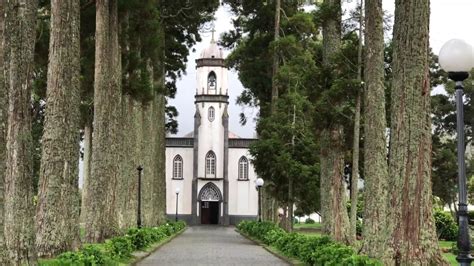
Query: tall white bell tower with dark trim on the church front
[[211, 129]]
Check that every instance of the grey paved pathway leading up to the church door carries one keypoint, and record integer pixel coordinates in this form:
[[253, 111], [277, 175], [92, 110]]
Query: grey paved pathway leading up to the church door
[[211, 245]]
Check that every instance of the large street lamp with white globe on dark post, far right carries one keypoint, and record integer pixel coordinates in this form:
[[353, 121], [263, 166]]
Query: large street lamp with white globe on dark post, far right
[[457, 58]]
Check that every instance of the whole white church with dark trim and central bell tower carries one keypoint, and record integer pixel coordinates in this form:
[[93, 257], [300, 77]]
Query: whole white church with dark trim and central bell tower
[[210, 167]]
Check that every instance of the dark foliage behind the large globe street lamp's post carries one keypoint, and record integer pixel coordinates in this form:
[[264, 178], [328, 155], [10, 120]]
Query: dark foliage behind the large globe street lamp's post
[[444, 152]]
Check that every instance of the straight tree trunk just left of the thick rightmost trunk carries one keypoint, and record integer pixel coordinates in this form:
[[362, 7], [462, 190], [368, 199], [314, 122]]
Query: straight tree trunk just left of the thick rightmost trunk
[[375, 149]]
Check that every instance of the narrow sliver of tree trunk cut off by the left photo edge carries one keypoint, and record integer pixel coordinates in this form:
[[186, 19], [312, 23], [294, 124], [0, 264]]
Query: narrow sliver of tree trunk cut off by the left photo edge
[[3, 134]]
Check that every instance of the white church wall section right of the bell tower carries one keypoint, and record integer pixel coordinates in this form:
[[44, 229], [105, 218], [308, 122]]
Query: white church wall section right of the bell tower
[[243, 197]]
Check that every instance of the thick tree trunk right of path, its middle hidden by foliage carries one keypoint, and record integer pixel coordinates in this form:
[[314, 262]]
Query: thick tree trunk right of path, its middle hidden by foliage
[[333, 190]]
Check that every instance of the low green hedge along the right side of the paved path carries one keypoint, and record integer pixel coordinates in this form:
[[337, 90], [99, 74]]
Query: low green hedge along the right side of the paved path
[[311, 250]]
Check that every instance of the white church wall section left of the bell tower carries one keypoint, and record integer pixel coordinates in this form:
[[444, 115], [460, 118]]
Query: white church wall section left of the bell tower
[[185, 185]]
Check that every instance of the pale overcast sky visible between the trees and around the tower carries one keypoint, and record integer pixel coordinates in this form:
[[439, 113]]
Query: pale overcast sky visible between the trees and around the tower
[[449, 19]]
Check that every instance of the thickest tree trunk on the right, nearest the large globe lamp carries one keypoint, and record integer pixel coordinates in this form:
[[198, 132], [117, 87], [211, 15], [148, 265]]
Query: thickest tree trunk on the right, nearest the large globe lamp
[[413, 234]]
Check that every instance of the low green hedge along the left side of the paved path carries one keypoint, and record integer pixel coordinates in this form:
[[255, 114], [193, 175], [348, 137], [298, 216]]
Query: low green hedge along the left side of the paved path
[[116, 249]]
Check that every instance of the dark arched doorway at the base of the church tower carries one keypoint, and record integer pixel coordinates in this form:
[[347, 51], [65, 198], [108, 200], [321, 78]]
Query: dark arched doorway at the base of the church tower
[[210, 198]]
